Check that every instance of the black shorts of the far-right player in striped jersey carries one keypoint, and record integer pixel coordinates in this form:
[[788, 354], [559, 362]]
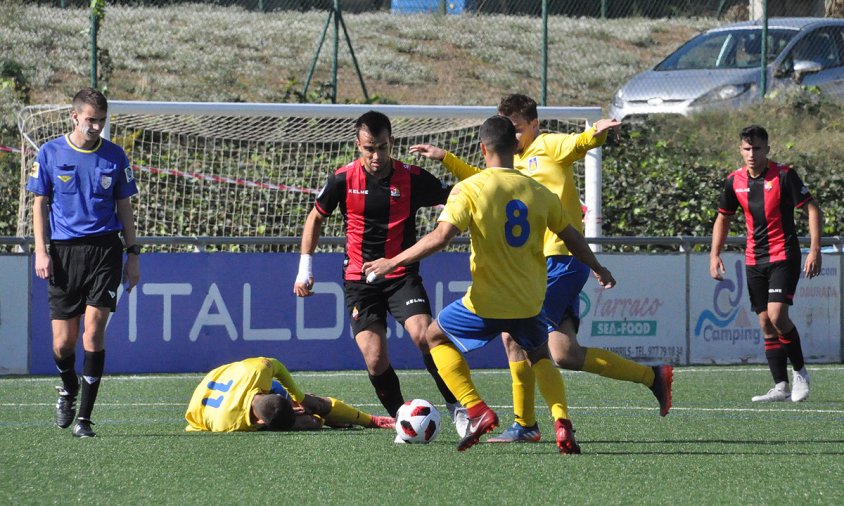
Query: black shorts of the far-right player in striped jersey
[[774, 282]]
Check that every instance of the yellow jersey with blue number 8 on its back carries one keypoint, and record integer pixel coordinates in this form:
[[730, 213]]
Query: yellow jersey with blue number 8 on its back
[[507, 214]]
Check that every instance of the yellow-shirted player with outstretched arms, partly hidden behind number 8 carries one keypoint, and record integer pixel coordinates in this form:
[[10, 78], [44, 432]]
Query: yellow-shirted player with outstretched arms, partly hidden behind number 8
[[548, 158]]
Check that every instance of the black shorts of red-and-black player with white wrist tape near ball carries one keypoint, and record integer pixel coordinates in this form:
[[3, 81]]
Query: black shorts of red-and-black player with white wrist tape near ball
[[368, 303]]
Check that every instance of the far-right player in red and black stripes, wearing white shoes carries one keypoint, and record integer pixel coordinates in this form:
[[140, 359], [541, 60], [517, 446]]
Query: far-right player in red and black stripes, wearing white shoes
[[768, 192]]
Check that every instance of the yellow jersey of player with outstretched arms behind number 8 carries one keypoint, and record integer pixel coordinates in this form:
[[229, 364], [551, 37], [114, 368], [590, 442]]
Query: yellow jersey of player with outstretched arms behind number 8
[[548, 160]]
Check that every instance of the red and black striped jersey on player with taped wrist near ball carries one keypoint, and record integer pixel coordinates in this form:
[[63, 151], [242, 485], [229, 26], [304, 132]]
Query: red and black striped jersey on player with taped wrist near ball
[[379, 215]]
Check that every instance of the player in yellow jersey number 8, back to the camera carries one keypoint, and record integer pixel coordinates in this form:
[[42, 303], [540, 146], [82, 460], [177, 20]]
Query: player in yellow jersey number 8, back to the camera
[[507, 214]]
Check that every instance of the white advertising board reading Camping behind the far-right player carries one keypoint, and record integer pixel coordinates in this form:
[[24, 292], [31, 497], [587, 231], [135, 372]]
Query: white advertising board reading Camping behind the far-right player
[[724, 329]]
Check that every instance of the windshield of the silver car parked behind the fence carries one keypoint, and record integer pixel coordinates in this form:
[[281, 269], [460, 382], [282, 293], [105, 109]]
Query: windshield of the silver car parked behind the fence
[[727, 49]]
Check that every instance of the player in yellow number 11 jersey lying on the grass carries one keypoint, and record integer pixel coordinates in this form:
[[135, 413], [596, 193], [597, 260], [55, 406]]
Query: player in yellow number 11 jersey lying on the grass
[[242, 396]]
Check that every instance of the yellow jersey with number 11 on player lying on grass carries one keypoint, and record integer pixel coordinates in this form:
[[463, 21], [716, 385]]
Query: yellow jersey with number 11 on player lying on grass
[[222, 402]]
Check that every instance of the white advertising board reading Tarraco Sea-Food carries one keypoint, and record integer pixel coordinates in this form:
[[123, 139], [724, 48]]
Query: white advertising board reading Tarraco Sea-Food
[[644, 317]]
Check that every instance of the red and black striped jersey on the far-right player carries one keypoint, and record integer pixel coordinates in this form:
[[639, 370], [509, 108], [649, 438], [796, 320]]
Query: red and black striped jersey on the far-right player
[[768, 202]]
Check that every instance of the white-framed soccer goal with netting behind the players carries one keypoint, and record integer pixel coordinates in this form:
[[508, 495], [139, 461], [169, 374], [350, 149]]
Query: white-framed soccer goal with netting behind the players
[[243, 177]]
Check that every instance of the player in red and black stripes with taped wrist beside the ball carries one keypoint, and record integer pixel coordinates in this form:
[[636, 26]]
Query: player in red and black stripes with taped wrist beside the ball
[[378, 197]]
